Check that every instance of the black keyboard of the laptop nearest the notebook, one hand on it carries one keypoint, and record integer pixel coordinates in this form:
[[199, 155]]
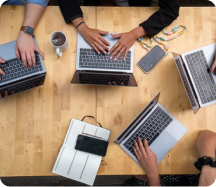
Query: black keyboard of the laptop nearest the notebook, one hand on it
[[150, 129]]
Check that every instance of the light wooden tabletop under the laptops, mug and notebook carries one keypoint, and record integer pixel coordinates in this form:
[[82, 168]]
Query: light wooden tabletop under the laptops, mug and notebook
[[33, 123]]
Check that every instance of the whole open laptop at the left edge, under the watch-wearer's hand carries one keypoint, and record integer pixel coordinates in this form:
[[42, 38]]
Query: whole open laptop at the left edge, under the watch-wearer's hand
[[18, 78]]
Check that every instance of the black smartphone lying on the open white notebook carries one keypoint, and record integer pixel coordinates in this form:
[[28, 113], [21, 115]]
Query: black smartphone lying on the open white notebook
[[91, 145]]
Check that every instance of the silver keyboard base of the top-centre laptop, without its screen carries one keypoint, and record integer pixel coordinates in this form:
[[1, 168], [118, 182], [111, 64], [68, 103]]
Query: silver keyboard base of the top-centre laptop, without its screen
[[84, 51]]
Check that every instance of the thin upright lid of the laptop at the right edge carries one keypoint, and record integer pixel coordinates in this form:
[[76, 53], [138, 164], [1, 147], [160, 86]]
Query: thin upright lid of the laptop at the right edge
[[186, 82]]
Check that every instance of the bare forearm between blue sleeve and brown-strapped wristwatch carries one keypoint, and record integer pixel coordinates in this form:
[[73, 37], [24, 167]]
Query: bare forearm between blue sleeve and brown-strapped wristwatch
[[33, 14]]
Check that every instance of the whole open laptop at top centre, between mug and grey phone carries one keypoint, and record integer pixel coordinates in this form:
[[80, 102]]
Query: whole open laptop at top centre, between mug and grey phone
[[99, 69]]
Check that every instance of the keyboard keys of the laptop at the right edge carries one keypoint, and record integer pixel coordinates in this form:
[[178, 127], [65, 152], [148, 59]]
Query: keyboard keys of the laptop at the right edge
[[202, 76]]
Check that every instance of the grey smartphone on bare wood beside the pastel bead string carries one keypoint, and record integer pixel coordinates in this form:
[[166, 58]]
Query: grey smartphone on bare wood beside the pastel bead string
[[151, 58]]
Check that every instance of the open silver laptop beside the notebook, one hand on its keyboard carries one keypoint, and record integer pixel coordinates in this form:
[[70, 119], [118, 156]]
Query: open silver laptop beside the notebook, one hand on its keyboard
[[154, 123]]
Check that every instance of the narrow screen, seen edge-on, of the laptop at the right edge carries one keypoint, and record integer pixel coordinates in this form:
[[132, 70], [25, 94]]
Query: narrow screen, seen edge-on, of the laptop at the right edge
[[184, 79]]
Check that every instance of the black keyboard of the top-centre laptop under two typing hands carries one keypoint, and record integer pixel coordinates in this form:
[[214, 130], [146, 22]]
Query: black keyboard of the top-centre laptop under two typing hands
[[91, 59]]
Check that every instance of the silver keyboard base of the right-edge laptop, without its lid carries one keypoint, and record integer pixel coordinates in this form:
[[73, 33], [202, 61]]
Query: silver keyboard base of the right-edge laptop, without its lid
[[203, 87]]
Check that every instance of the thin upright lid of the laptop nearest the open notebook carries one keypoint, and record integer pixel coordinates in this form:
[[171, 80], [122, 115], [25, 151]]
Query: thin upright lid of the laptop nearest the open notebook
[[137, 119]]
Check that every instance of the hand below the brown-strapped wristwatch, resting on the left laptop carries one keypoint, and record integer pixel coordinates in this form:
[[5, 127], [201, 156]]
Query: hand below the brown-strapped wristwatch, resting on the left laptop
[[25, 48]]
